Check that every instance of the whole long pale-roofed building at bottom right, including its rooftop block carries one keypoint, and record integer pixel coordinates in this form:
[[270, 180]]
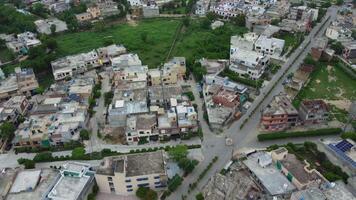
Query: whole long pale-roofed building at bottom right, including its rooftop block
[[265, 172]]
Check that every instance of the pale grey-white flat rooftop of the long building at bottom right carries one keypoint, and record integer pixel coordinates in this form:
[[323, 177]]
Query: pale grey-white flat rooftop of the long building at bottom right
[[273, 180]]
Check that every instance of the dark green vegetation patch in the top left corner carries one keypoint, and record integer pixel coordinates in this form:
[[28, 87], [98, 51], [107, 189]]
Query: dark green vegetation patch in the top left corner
[[12, 21]]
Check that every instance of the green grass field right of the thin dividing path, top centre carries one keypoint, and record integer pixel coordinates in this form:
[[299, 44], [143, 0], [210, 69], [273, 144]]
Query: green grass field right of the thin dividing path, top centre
[[196, 42]]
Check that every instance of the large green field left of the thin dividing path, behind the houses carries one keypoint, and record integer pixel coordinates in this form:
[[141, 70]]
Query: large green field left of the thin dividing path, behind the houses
[[160, 34]]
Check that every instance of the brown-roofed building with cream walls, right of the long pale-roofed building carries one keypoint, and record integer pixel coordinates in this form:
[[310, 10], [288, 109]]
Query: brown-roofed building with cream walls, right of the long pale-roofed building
[[296, 171]]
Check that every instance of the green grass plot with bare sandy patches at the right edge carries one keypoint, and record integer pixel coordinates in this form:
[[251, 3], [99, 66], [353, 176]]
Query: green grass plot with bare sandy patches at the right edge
[[328, 82]]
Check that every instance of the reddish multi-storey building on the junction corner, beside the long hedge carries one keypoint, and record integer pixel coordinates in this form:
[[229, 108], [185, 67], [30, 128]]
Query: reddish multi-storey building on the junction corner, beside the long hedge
[[279, 114]]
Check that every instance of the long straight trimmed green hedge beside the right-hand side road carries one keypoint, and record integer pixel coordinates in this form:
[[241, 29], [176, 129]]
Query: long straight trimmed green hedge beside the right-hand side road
[[283, 134]]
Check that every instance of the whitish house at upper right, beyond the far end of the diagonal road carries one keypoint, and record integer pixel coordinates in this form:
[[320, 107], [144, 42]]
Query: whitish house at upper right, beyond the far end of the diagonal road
[[338, 33]]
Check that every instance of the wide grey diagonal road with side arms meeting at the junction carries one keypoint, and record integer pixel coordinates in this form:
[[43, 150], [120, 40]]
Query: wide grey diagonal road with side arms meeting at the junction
[[247, 136]]
